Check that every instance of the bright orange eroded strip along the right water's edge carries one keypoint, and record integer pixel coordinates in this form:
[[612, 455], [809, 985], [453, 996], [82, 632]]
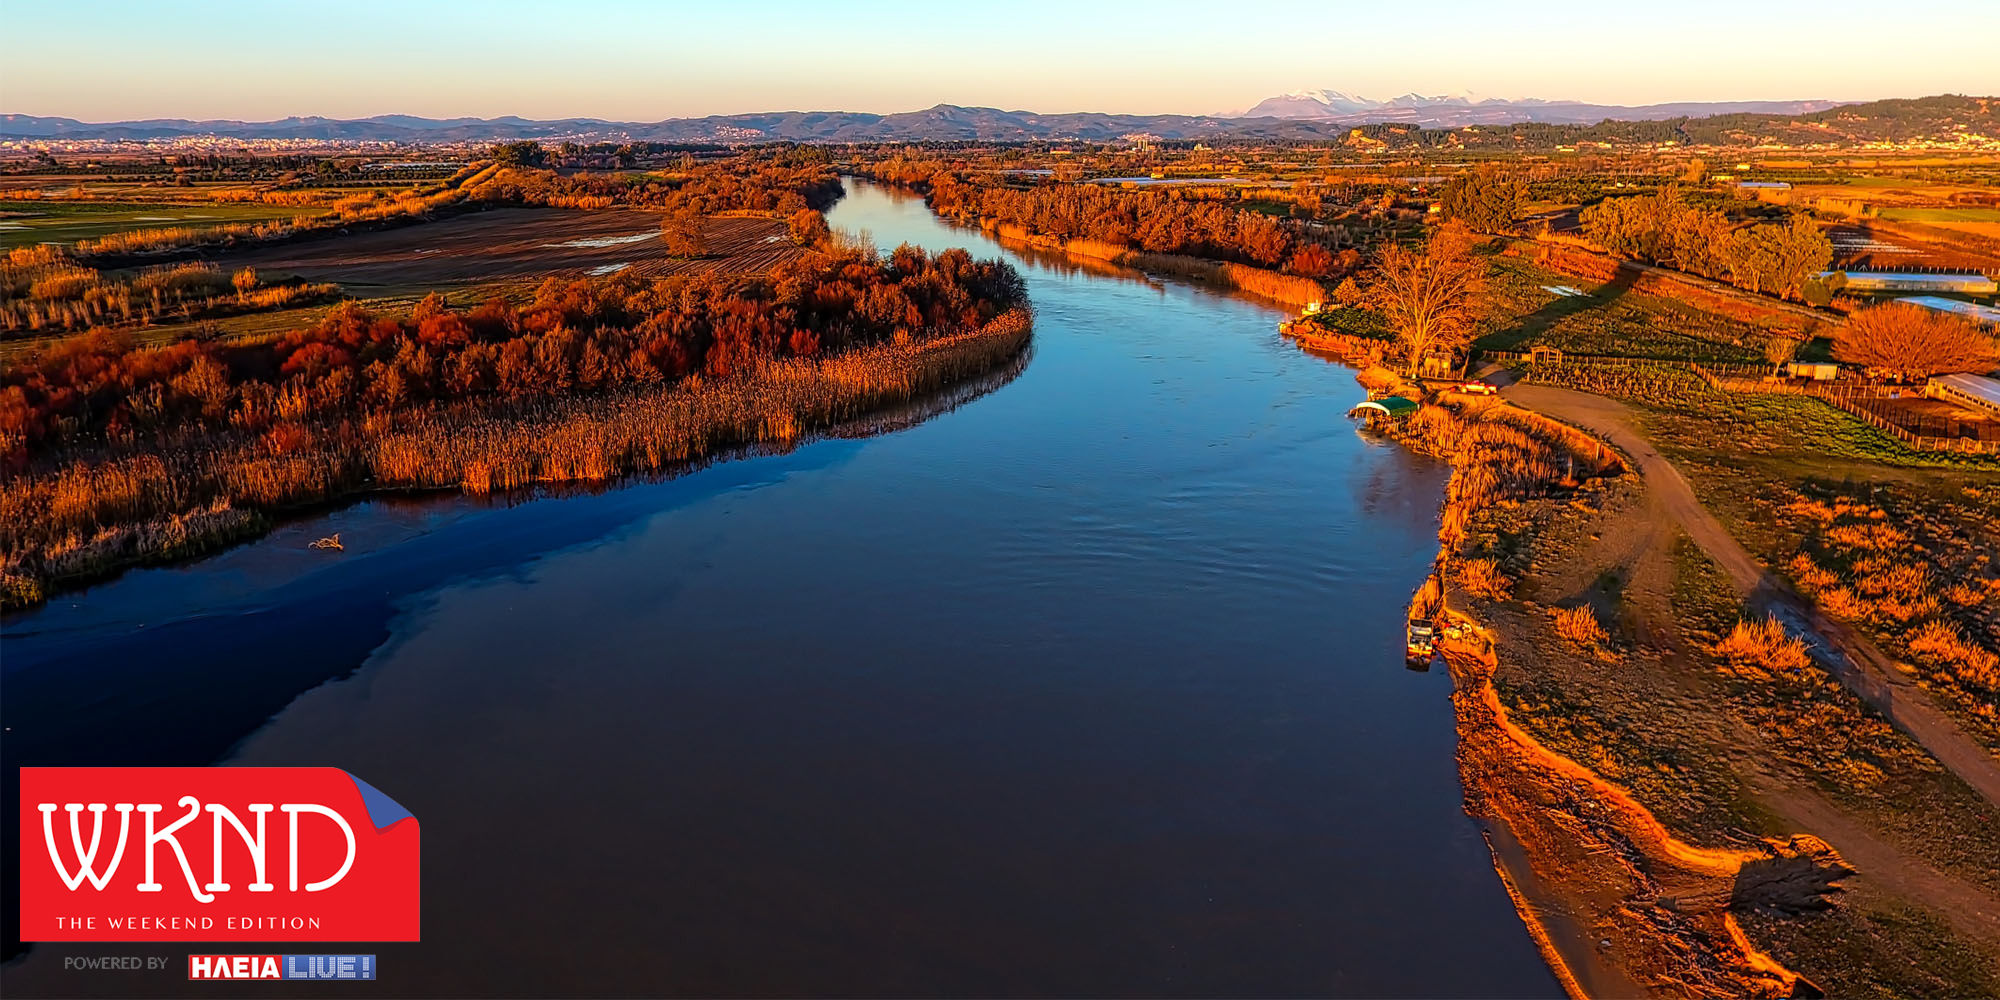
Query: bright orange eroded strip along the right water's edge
[[1615, 901]]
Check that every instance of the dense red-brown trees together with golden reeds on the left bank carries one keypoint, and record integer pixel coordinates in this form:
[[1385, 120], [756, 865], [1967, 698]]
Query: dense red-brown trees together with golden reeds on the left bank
[[123, 455]]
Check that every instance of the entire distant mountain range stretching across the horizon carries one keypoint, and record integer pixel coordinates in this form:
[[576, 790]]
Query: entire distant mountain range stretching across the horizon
[[1305, 117]]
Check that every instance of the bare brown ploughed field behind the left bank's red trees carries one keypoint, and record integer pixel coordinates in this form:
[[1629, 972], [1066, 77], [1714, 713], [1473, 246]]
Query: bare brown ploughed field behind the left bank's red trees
[[519, 243]]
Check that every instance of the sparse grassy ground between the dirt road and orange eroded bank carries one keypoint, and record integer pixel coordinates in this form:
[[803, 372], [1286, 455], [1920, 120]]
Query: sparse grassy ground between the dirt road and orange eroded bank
[[1717, 749]]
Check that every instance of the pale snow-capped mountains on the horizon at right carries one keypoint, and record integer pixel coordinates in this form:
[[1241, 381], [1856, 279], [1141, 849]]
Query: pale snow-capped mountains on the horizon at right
[[1457, 111]]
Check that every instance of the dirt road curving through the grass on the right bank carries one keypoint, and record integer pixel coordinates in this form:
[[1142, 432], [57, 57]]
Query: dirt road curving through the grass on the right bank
[[1851, 657]]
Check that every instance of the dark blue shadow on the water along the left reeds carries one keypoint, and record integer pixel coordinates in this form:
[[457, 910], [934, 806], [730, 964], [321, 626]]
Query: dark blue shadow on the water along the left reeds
[[189, 689]]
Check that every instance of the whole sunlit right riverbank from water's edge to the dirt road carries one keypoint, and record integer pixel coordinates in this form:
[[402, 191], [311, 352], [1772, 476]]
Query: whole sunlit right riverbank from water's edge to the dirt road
[[1673, 817]]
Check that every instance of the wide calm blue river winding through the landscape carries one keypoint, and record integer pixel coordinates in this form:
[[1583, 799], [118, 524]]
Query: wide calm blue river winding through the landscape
[[1091, 685]]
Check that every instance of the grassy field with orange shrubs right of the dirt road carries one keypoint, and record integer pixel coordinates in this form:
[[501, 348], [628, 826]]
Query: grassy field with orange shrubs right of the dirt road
[[1891, 539]]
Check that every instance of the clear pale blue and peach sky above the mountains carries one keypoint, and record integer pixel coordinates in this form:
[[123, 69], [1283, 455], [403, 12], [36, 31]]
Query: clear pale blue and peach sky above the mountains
[[647, 61]]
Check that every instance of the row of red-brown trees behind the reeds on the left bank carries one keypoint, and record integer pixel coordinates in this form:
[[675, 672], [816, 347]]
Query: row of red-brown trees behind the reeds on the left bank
[[571, 337]]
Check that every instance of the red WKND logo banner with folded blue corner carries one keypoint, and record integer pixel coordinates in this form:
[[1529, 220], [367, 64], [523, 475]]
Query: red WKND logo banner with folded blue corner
[[215, 855]]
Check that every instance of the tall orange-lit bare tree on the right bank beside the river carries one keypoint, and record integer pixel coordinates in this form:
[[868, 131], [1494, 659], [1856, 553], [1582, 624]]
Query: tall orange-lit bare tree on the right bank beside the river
[[1429, 297]]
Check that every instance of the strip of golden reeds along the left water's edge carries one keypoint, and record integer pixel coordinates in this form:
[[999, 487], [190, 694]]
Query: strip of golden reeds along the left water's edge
[[473, 449]]
